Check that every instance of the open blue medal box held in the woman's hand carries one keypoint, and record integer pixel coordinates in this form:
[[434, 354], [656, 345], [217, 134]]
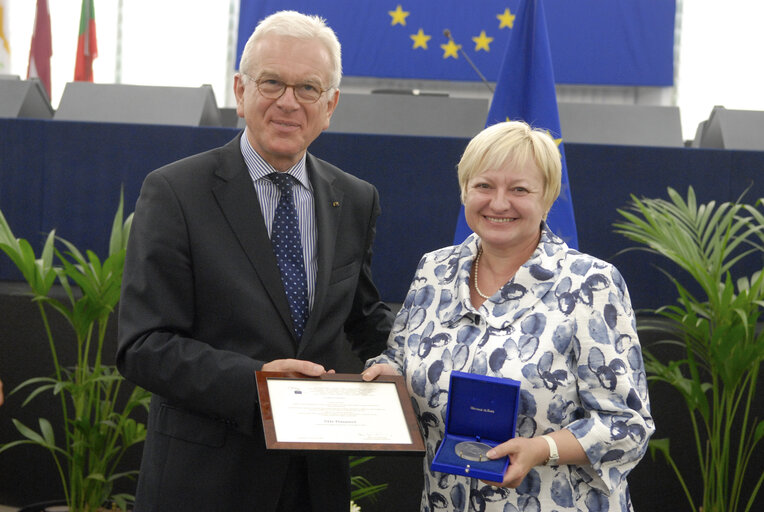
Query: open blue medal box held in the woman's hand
[[482, 409]]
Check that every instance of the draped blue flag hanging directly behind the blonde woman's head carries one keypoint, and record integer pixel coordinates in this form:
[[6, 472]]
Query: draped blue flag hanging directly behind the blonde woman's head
[[525, 91]]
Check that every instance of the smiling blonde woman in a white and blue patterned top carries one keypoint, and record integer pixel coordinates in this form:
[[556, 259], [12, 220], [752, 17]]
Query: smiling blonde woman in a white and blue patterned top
[[513, 300]]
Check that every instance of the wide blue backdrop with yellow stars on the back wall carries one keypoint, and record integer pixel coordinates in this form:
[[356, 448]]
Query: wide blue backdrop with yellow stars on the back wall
[[617, 42]]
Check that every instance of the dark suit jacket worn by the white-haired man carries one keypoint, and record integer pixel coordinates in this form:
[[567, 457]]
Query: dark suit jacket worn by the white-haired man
[[203, 307]]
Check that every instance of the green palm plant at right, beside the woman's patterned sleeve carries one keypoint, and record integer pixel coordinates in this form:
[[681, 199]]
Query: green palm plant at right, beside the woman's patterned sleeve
[[717, 330]]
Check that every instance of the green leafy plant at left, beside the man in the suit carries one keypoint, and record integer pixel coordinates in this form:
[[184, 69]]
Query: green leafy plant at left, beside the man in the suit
[[98, 425]]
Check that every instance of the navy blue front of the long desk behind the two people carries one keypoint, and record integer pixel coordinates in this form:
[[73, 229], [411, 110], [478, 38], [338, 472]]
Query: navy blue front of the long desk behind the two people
[[68, 175]]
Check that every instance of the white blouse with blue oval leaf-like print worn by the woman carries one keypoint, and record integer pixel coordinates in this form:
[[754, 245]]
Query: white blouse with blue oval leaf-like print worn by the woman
[[563, 327]]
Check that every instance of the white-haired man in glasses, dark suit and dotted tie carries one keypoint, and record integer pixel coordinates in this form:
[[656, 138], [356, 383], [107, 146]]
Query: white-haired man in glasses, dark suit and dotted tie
[[204, 302]]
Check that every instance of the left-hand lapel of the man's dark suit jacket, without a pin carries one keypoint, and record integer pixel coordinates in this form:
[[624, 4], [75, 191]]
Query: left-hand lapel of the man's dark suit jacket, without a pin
[[237, 199]]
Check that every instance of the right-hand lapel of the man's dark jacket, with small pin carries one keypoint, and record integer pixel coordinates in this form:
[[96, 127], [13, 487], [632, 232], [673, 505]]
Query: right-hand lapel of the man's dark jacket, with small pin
[[327, 201]]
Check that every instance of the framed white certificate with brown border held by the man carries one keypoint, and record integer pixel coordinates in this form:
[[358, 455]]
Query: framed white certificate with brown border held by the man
[[337, 412]]
